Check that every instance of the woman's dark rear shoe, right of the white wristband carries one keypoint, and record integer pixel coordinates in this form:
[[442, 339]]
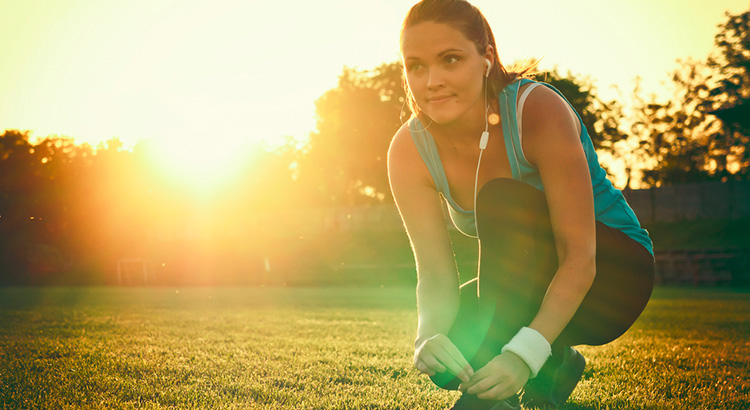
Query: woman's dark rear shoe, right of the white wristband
[[552, 388]]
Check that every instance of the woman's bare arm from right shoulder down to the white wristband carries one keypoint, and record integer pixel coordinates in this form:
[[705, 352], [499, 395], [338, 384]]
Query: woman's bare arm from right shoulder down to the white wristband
[[551, 137]]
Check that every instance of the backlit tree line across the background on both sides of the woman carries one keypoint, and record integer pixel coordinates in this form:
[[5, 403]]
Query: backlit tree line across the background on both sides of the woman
[[67, 207]]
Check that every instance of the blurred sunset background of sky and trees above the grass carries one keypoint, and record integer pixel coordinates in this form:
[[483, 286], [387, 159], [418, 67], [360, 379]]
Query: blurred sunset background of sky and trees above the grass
[[244, 143]]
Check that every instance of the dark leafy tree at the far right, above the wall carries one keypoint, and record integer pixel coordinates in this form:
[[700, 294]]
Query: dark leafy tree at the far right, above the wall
[[685, 142]]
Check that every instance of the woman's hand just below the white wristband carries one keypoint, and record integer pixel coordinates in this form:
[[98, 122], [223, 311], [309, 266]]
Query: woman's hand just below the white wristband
[[501, 378]]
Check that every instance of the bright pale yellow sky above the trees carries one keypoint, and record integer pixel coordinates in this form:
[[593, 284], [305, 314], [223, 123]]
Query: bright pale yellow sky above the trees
[[192, 73]]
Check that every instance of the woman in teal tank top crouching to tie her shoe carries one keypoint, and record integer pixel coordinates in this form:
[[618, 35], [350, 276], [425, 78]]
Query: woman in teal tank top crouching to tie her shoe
[[563, 260]]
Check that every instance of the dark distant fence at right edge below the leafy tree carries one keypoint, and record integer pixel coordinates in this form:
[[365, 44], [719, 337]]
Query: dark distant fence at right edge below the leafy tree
[[700, 200]]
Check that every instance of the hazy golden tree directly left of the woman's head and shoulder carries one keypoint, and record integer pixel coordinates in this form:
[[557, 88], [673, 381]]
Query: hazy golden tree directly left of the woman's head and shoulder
[[345, 160]]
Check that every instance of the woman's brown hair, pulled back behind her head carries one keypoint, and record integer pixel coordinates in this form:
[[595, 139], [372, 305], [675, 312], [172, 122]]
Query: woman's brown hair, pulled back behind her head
[[464, 17]]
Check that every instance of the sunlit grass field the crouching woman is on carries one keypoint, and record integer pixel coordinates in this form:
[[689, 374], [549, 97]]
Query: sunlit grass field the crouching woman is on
[[328, 348]]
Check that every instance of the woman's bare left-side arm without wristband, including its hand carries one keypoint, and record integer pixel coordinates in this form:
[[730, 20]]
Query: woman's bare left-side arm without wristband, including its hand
[[437, 277]]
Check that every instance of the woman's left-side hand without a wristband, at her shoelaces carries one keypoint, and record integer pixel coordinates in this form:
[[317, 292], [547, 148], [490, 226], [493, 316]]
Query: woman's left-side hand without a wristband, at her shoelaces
[[438, 354]]
